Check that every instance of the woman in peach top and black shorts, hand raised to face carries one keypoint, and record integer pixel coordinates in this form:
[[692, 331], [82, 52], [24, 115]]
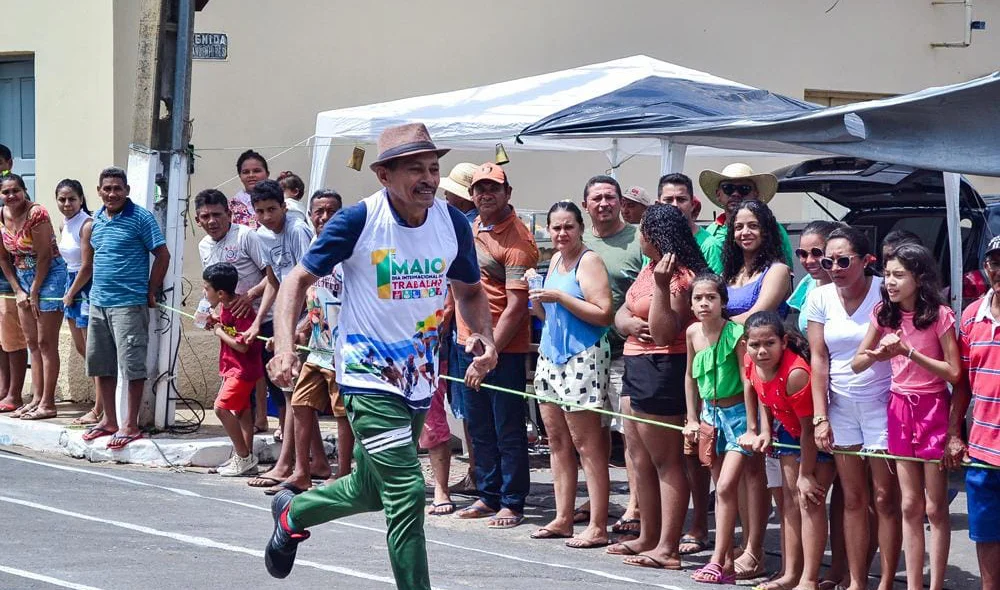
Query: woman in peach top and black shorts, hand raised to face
[[655, 368]]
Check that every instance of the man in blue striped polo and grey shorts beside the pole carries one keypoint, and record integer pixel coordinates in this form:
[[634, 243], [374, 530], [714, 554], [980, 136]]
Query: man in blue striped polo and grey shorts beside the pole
[[124, 289]]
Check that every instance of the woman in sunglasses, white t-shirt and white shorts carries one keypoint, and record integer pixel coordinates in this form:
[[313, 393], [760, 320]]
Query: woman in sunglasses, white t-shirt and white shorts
[[851, 409]]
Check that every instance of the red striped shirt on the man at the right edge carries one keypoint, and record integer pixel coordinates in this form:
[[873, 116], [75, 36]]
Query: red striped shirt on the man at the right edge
[[980, 347]]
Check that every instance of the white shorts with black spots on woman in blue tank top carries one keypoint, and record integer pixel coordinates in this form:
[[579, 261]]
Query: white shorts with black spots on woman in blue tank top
[[582, 380]]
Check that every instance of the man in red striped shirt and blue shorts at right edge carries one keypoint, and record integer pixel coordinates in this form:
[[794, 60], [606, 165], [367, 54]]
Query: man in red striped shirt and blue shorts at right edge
[[979, 343]]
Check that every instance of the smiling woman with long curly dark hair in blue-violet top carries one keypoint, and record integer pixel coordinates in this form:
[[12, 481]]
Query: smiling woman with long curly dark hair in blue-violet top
[[757, 279]]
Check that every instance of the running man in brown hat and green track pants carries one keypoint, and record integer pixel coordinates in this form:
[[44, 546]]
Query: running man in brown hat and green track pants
[[409, 244]]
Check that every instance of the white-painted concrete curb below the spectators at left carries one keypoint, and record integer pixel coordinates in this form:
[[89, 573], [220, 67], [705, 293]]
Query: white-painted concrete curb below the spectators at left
[[156, 452]]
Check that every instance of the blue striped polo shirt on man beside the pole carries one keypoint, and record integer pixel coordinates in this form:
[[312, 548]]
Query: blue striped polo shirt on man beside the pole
[[121, 255]]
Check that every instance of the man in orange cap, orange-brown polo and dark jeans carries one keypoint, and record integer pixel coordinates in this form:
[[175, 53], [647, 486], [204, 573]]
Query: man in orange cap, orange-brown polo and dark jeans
[[506, 249]]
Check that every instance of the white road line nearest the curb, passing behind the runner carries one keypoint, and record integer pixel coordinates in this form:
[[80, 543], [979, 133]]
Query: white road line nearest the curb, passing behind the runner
[[192, 494]]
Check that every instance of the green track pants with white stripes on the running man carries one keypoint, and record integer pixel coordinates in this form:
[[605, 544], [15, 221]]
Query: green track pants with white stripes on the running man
[[387, 476]]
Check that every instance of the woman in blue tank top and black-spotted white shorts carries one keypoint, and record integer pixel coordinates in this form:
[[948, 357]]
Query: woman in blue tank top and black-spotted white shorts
[[574, 361]]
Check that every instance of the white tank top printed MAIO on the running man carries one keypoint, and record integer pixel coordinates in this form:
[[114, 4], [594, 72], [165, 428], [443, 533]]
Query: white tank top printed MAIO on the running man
[[392, 302]]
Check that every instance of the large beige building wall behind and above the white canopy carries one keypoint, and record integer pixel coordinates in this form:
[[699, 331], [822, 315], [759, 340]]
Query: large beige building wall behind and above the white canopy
[[290, 60]]
